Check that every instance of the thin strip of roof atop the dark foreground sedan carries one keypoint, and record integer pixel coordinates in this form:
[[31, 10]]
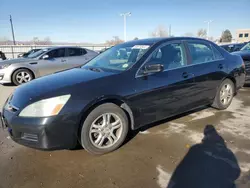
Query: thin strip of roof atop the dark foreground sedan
[[151, 41]]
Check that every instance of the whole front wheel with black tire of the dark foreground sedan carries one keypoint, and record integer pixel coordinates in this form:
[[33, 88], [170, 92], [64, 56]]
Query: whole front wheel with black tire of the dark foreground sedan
[[105, 129]]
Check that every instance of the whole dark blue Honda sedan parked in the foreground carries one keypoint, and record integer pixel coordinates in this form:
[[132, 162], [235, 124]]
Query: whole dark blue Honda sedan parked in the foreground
[[125, 87]]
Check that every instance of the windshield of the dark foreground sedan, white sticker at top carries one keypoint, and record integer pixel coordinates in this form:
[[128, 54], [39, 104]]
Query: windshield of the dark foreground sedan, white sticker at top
[[120, 57]]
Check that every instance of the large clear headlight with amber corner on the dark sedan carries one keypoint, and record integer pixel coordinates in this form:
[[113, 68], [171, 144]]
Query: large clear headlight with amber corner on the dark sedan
[[46, 107]]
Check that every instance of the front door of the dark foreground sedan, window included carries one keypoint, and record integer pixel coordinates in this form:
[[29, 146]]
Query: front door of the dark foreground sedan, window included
[[165, 93]]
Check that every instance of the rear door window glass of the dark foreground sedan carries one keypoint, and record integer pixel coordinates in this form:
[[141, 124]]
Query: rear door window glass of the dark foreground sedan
[[200, 52]]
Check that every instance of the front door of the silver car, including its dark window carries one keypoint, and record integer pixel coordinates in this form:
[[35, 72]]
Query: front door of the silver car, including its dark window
[[53, 63]]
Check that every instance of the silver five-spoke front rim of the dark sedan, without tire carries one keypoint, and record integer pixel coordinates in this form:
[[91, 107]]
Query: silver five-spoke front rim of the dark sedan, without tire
[[105, 130]]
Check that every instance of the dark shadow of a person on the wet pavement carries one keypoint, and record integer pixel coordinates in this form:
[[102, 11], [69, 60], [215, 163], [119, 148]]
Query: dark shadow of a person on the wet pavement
[[209, 164]]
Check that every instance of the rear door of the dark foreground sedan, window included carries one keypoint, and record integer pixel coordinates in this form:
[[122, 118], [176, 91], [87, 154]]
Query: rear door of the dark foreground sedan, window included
[[209, 68]]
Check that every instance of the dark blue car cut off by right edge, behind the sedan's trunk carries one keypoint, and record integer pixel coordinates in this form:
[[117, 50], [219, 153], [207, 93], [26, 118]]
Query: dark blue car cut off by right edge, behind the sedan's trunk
[[245, 54]]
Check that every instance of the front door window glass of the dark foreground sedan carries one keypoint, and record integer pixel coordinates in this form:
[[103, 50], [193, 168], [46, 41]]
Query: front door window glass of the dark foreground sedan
[[171, 56]]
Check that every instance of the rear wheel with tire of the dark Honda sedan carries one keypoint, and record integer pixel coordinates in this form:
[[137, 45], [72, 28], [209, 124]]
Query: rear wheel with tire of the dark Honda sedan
[[224, 95]]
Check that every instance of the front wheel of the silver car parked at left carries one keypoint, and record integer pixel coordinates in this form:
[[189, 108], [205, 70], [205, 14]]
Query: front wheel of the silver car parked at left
[[22, 76]]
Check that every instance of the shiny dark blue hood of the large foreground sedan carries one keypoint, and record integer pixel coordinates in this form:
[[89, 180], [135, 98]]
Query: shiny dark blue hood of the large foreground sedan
[[54, 84]]
